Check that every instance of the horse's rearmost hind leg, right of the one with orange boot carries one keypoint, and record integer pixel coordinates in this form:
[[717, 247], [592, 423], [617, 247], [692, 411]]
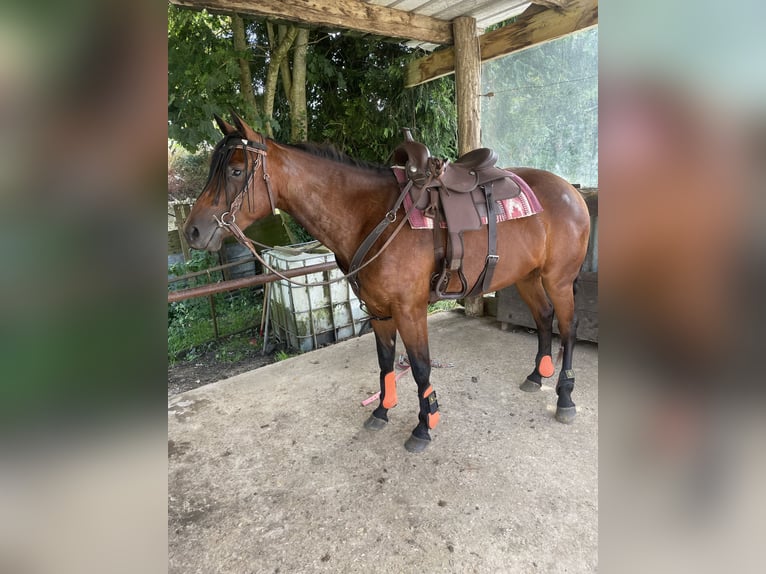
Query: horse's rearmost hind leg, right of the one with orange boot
[[562, 296]]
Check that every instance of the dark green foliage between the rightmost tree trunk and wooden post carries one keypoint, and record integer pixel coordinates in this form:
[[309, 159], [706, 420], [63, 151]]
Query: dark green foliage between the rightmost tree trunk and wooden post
[[356, 85]]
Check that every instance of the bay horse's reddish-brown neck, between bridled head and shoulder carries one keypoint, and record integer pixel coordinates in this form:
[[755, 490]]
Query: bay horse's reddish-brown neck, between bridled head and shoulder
[[336, 203]]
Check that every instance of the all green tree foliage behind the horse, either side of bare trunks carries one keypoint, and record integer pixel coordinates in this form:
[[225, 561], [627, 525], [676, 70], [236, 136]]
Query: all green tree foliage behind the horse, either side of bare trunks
[[355, 89]]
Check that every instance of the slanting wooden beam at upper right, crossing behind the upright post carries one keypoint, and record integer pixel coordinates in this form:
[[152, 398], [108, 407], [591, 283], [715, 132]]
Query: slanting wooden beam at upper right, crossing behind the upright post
[[535, 26]]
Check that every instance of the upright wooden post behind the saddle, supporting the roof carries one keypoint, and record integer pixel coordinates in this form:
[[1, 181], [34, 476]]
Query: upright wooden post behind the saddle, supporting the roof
[[467, 87]]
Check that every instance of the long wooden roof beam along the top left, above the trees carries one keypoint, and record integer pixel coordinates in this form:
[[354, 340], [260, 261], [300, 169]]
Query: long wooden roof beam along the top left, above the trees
[[343, 14]]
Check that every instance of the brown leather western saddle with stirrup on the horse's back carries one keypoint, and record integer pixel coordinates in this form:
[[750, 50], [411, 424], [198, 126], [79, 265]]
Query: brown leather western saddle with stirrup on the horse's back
[[463, 194]]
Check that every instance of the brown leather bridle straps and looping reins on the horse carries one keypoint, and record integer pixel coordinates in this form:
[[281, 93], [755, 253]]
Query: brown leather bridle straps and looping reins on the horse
[[259, 148]]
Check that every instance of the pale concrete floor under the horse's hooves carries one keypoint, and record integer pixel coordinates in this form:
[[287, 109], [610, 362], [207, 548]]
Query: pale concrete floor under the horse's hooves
[[271, 470]]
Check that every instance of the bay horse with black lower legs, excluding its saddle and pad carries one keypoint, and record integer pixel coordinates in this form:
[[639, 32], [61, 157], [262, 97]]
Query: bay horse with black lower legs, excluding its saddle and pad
[[340, 201]]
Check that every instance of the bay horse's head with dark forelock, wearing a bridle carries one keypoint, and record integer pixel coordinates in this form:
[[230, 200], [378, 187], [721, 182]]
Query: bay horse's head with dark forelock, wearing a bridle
[[237, 188]]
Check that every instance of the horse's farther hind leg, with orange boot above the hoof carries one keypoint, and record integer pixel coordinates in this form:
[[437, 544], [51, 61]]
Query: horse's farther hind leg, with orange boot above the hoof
[[532, 293]]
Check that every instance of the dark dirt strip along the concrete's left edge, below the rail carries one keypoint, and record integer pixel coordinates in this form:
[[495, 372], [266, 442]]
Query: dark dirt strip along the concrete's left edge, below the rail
[[205, 369]]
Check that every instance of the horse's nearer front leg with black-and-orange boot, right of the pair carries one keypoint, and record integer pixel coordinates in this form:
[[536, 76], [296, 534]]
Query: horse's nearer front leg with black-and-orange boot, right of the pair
[[413, 328]]
